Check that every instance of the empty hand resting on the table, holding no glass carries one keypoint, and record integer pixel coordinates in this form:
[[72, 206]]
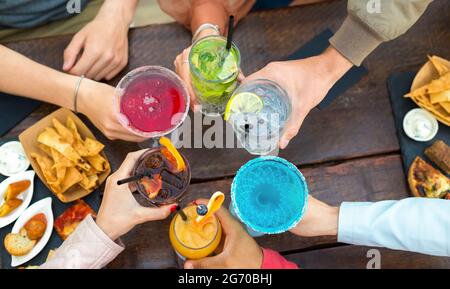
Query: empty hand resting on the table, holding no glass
[[100, 49]]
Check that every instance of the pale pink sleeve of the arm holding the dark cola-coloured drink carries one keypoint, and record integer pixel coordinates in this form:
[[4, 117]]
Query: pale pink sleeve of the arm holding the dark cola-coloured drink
[[88, 247]]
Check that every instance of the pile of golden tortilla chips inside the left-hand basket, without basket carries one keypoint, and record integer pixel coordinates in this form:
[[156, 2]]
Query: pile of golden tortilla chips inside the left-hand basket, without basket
[[68, 161]]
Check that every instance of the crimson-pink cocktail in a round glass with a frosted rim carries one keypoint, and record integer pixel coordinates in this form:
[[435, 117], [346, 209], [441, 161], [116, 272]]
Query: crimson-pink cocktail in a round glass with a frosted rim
[[151, 101]]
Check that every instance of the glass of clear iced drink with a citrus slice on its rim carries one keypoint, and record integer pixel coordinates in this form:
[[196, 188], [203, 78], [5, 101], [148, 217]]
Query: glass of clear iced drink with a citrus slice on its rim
[[258, 112]]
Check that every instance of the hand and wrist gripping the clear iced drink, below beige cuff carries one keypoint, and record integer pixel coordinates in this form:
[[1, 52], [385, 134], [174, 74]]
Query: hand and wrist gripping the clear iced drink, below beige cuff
[[306, 81]]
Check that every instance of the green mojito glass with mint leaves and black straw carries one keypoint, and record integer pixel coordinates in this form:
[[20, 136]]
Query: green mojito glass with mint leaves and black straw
[[214, 71]]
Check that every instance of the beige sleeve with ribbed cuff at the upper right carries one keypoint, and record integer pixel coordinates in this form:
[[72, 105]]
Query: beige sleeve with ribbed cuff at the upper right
[[371, 22]]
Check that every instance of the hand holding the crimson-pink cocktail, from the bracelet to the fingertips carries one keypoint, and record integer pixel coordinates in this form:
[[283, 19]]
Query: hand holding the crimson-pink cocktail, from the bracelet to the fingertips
[[95, 100]]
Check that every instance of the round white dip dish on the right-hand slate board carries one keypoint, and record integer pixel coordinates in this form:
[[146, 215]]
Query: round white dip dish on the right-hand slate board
[[420, 125]]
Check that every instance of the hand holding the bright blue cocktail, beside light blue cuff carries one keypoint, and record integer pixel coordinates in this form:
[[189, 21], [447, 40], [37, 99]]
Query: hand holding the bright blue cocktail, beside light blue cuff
[[320, 219]]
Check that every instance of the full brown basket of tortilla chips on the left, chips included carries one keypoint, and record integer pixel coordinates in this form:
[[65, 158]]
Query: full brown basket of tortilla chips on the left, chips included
[[65, 155]]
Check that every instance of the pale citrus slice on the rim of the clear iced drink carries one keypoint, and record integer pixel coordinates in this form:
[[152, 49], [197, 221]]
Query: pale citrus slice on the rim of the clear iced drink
[[244, 102]]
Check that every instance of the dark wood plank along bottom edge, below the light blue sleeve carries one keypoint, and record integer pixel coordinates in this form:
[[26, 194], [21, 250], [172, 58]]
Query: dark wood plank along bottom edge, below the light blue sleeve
[[355, 257]]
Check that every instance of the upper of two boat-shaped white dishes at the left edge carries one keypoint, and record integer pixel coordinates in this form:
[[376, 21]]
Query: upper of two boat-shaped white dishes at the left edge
[[25, 196]]
